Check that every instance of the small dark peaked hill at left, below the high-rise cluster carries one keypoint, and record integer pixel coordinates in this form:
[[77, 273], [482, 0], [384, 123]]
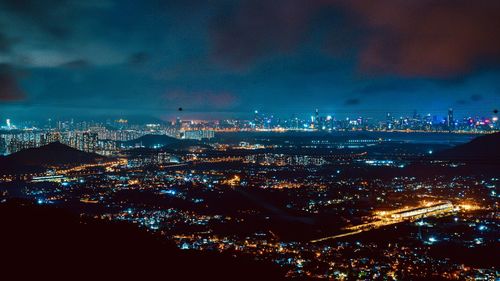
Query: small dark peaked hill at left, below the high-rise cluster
[[53, 154]]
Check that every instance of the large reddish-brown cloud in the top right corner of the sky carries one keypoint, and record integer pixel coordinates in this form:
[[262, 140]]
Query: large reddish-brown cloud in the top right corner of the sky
[[429, 38]]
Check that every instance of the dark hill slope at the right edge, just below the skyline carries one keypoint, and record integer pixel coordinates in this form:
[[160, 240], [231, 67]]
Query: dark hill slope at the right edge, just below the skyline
[[482, 150]]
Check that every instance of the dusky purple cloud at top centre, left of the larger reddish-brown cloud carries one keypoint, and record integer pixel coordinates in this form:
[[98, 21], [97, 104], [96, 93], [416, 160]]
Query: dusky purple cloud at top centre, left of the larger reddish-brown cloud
[[245, 31]]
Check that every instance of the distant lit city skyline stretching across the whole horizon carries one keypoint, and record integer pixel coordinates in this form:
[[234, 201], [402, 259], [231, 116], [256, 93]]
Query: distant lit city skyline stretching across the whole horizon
[[107, 137]]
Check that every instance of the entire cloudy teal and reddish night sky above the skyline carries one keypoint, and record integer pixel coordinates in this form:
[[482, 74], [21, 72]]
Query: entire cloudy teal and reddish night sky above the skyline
[[67, 58]]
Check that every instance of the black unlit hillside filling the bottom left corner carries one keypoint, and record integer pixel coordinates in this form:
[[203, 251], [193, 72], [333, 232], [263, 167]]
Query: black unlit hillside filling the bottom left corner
[[44, 241]]
